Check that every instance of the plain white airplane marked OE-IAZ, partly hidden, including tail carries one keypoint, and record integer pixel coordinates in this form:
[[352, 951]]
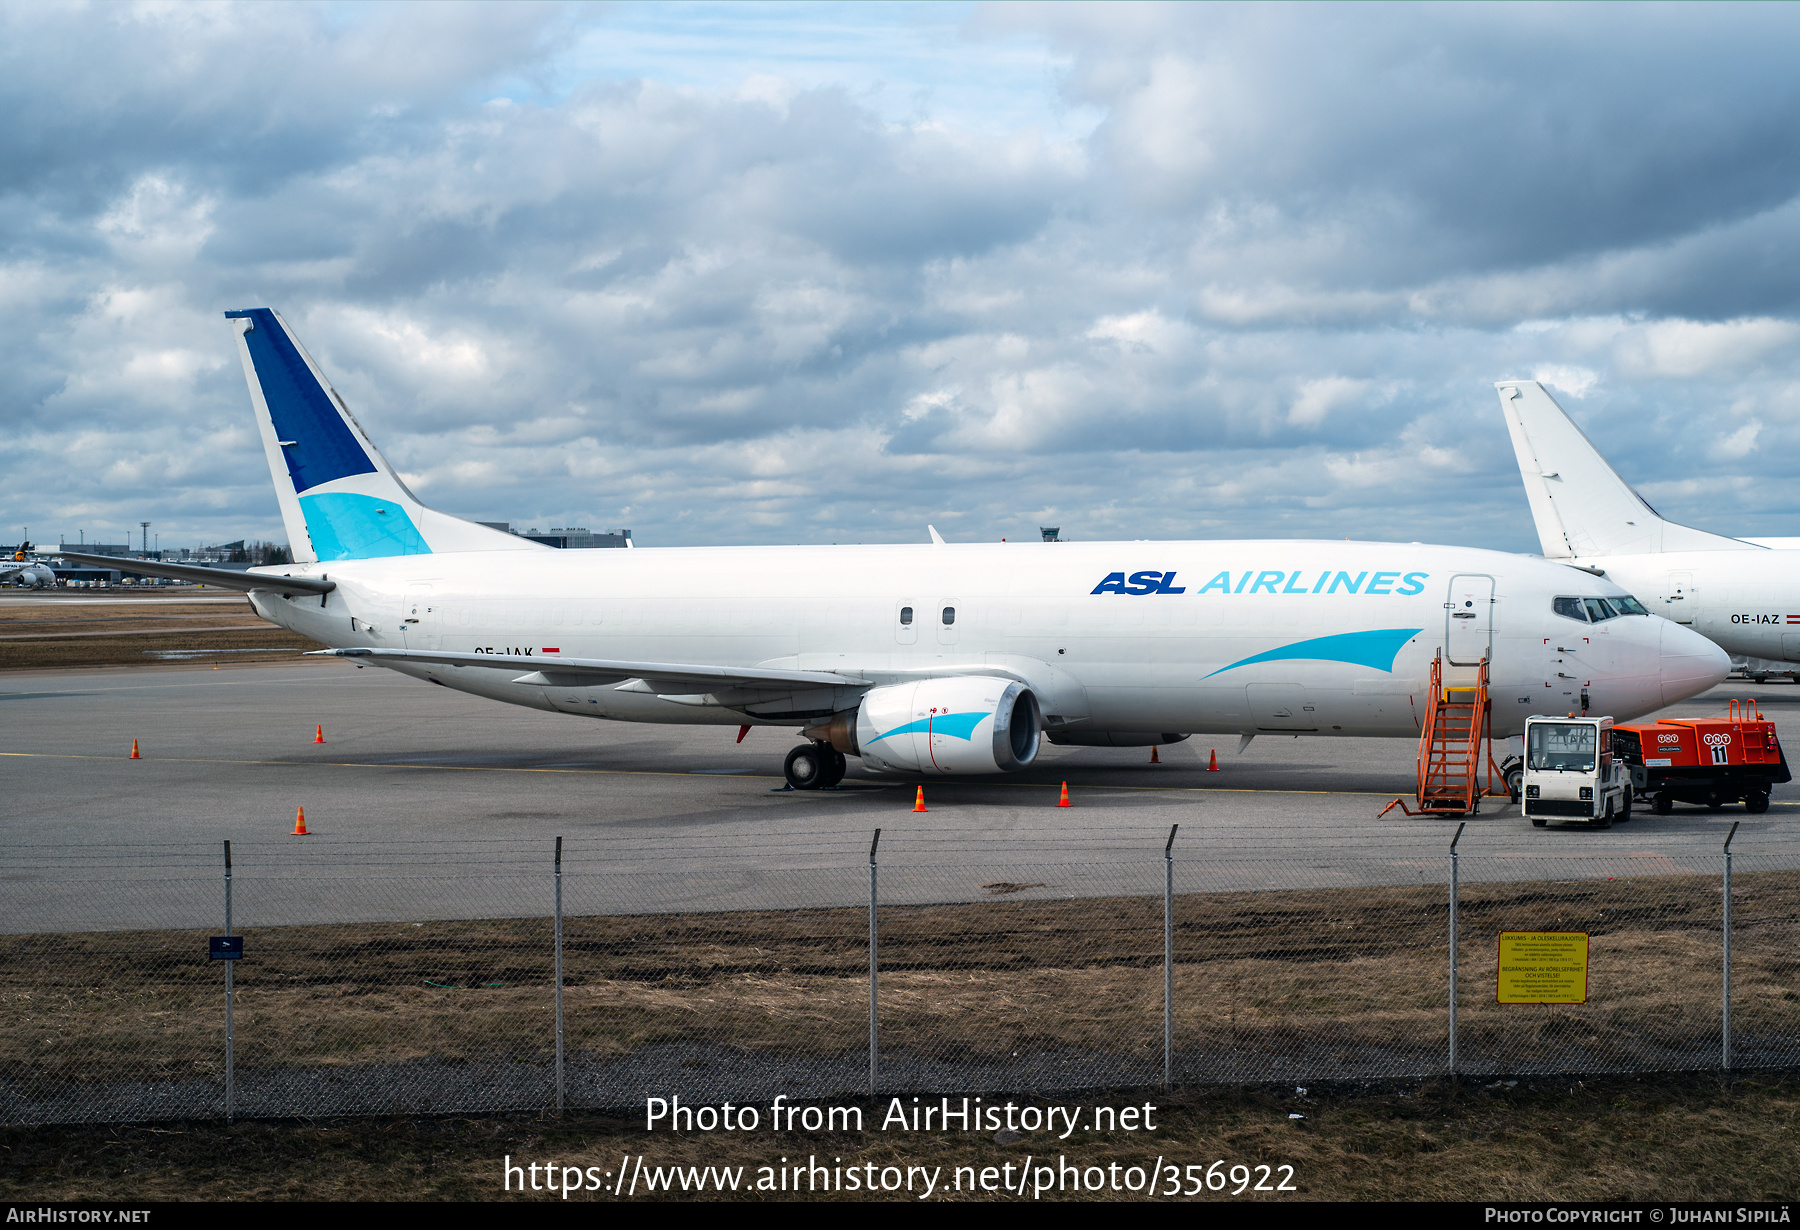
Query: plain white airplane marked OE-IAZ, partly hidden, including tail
[[1740, 593]]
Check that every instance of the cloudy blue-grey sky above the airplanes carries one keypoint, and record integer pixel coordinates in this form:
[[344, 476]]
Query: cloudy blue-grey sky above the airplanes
[[769, 273]]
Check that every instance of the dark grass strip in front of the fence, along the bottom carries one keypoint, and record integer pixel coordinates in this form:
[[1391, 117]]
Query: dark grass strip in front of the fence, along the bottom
[[1677, 1139]]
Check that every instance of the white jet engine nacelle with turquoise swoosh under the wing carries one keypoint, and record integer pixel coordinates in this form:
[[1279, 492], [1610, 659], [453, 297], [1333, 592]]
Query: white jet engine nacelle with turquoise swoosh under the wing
[[964, 725]]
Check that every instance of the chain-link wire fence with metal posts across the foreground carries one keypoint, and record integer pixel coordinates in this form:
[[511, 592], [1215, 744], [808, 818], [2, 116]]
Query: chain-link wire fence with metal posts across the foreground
[[375, 981]]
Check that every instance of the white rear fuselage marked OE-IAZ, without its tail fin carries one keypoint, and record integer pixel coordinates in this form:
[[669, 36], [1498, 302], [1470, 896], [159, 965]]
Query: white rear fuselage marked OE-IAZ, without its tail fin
[[1747, 602]]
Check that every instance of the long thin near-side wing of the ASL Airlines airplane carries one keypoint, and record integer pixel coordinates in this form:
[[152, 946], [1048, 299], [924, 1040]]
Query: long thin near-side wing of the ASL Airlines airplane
[[595, 673]]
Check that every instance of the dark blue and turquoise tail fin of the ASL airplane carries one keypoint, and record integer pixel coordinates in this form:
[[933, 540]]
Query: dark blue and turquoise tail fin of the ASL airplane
[[339, 498]]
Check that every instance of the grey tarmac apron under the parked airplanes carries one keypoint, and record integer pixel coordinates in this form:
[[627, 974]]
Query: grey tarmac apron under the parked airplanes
[[426, 802]]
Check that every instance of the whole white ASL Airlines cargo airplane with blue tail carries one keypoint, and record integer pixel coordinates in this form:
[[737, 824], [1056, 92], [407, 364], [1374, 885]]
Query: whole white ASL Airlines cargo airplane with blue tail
[[935, 658]]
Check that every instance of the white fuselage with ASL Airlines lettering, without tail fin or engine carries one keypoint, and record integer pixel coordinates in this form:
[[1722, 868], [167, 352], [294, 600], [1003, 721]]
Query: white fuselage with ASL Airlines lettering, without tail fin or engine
[[1164, 646]]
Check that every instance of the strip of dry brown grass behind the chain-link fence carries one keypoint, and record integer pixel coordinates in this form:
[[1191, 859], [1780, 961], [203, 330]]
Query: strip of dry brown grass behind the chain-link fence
[[1347, 973]]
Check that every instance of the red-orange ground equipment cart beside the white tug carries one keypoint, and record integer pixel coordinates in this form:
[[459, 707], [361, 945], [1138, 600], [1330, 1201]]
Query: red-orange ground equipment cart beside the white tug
[[1705, 761]]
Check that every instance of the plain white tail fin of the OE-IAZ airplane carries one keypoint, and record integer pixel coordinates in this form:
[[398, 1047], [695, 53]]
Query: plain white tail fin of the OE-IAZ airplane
[[1581, 507]]
